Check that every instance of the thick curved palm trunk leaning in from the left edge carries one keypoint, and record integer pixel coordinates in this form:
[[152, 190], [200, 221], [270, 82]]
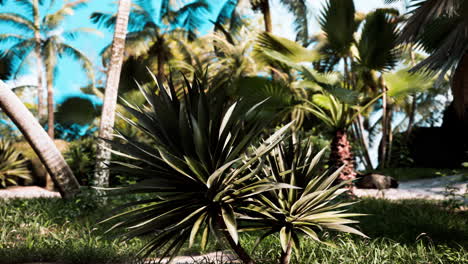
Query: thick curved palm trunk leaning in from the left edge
[[41, 143]]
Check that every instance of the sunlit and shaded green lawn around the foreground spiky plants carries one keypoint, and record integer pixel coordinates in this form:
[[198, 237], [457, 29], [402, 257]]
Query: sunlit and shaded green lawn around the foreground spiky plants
[[410, 231]]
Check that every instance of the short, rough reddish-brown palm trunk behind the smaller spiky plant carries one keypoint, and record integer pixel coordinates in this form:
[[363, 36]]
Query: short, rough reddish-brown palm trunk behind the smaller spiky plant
[[340, 155]]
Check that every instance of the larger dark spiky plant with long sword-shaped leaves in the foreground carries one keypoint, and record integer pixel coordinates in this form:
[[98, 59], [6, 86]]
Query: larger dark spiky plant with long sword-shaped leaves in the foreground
[[193, 169]]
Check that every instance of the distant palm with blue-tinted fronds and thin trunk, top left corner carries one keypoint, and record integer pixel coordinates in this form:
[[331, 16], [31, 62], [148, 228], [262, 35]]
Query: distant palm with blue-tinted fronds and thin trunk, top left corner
[[44, 36]]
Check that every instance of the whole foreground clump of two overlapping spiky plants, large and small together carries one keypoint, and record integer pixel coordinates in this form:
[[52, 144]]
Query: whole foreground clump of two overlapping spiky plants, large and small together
[[206, 165]]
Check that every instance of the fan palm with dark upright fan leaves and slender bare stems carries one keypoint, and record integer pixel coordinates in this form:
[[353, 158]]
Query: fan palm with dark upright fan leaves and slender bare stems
[[376, 51]]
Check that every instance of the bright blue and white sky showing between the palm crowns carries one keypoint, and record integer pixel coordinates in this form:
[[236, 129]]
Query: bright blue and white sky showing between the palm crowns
[[71, 77]]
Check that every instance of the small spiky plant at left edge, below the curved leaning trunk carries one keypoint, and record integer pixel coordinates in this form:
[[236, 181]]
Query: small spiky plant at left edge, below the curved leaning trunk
[[12, 164]]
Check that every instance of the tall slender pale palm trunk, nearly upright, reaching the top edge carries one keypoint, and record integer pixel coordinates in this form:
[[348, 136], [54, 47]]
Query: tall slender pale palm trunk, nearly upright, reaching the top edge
[[103, 155]]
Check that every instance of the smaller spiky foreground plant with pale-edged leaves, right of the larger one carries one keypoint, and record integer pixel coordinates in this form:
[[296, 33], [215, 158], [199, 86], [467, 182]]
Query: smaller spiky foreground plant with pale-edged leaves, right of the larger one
[[305, 210]]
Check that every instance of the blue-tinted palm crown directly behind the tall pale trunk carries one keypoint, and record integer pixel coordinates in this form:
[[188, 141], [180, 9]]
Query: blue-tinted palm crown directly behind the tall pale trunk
[[150, 32]]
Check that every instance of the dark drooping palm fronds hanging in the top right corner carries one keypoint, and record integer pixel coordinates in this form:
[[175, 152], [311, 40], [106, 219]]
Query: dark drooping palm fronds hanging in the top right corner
[[439, 28]]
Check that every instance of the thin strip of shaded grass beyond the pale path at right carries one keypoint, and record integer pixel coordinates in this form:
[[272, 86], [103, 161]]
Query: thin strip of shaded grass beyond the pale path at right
[[408, 174]]
